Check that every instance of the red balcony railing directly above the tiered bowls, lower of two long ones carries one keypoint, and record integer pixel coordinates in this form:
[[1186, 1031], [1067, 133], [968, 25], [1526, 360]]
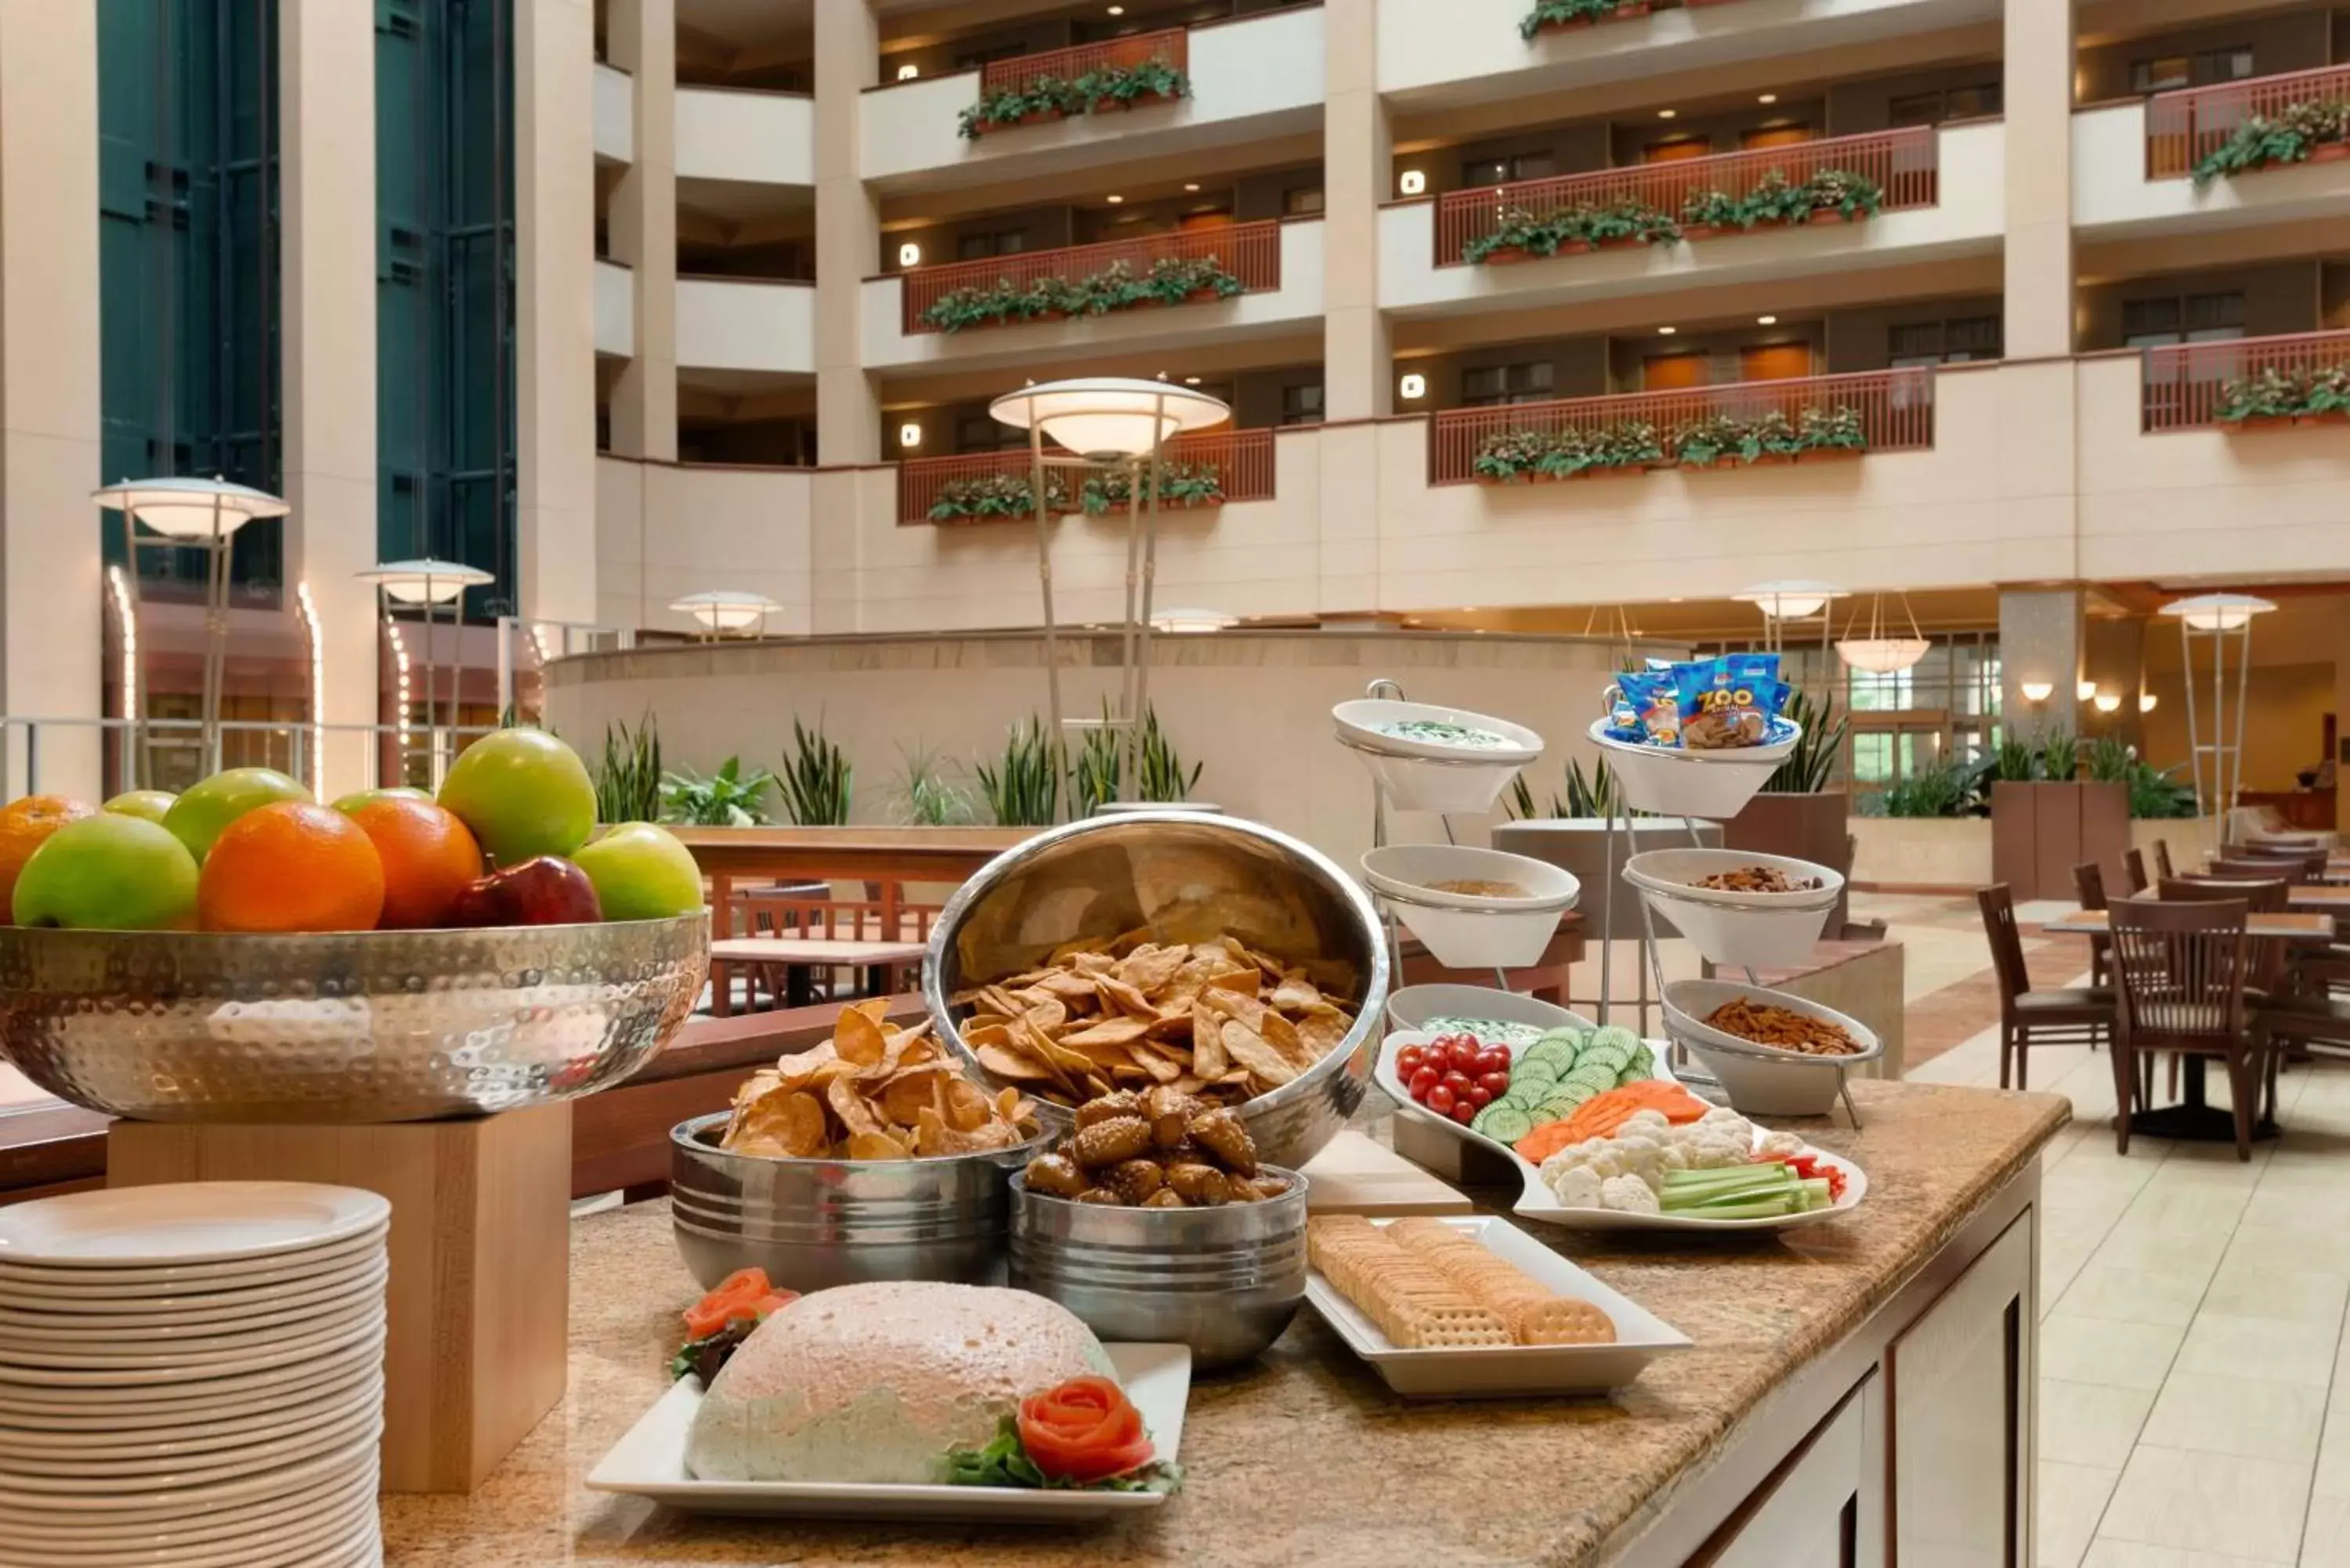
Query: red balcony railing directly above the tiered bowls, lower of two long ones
[[1895, 408]]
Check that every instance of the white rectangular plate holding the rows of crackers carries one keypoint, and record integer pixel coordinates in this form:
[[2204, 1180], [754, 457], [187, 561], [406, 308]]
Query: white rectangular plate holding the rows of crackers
[[1508, 1369]]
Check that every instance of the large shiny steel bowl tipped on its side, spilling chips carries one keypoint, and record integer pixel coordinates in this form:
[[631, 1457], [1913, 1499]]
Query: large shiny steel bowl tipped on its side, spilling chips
[[1183, 876]]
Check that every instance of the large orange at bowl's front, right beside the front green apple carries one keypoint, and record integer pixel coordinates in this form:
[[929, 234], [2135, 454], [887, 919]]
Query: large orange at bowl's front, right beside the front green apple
[[290, 866]]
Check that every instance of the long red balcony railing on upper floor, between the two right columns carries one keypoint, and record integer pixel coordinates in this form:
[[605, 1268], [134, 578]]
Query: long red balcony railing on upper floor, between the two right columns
[[1907, 163]]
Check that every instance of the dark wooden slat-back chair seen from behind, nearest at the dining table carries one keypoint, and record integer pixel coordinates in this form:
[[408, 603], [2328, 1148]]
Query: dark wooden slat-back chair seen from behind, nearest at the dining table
[[2182, 974]]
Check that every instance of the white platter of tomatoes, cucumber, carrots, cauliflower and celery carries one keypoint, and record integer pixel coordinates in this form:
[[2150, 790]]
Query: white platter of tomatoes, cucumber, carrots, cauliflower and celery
[[1639, 1153]]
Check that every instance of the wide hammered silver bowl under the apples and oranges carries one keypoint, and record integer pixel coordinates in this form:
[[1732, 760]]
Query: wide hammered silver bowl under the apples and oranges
[[344, 1028]]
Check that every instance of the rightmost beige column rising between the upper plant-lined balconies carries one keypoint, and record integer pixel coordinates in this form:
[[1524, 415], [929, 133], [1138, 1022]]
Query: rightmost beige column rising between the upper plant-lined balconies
[[2039, 100]]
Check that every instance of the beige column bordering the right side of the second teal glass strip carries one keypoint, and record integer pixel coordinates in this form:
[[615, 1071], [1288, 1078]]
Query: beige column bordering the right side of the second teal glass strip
[[556, 309]]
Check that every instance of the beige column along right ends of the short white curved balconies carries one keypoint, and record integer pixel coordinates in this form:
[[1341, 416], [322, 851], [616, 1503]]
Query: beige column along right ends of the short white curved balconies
[[847, 234]]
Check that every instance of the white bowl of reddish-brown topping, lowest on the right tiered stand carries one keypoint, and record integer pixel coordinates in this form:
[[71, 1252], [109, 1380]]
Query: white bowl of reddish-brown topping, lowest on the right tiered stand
[[1775, 1054]]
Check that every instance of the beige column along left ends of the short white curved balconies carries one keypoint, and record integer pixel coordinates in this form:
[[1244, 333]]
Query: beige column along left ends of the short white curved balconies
[[643, 41]]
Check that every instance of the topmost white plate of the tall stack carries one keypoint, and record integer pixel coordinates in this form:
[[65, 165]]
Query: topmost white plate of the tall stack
[[182, 1224]]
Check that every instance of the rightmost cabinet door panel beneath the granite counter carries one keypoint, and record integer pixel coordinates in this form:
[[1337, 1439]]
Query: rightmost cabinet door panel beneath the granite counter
[[1961, 1386]]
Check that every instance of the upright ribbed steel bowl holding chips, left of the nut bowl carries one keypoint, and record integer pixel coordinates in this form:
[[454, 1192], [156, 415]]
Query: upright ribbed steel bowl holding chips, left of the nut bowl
[[819, 1224]]
